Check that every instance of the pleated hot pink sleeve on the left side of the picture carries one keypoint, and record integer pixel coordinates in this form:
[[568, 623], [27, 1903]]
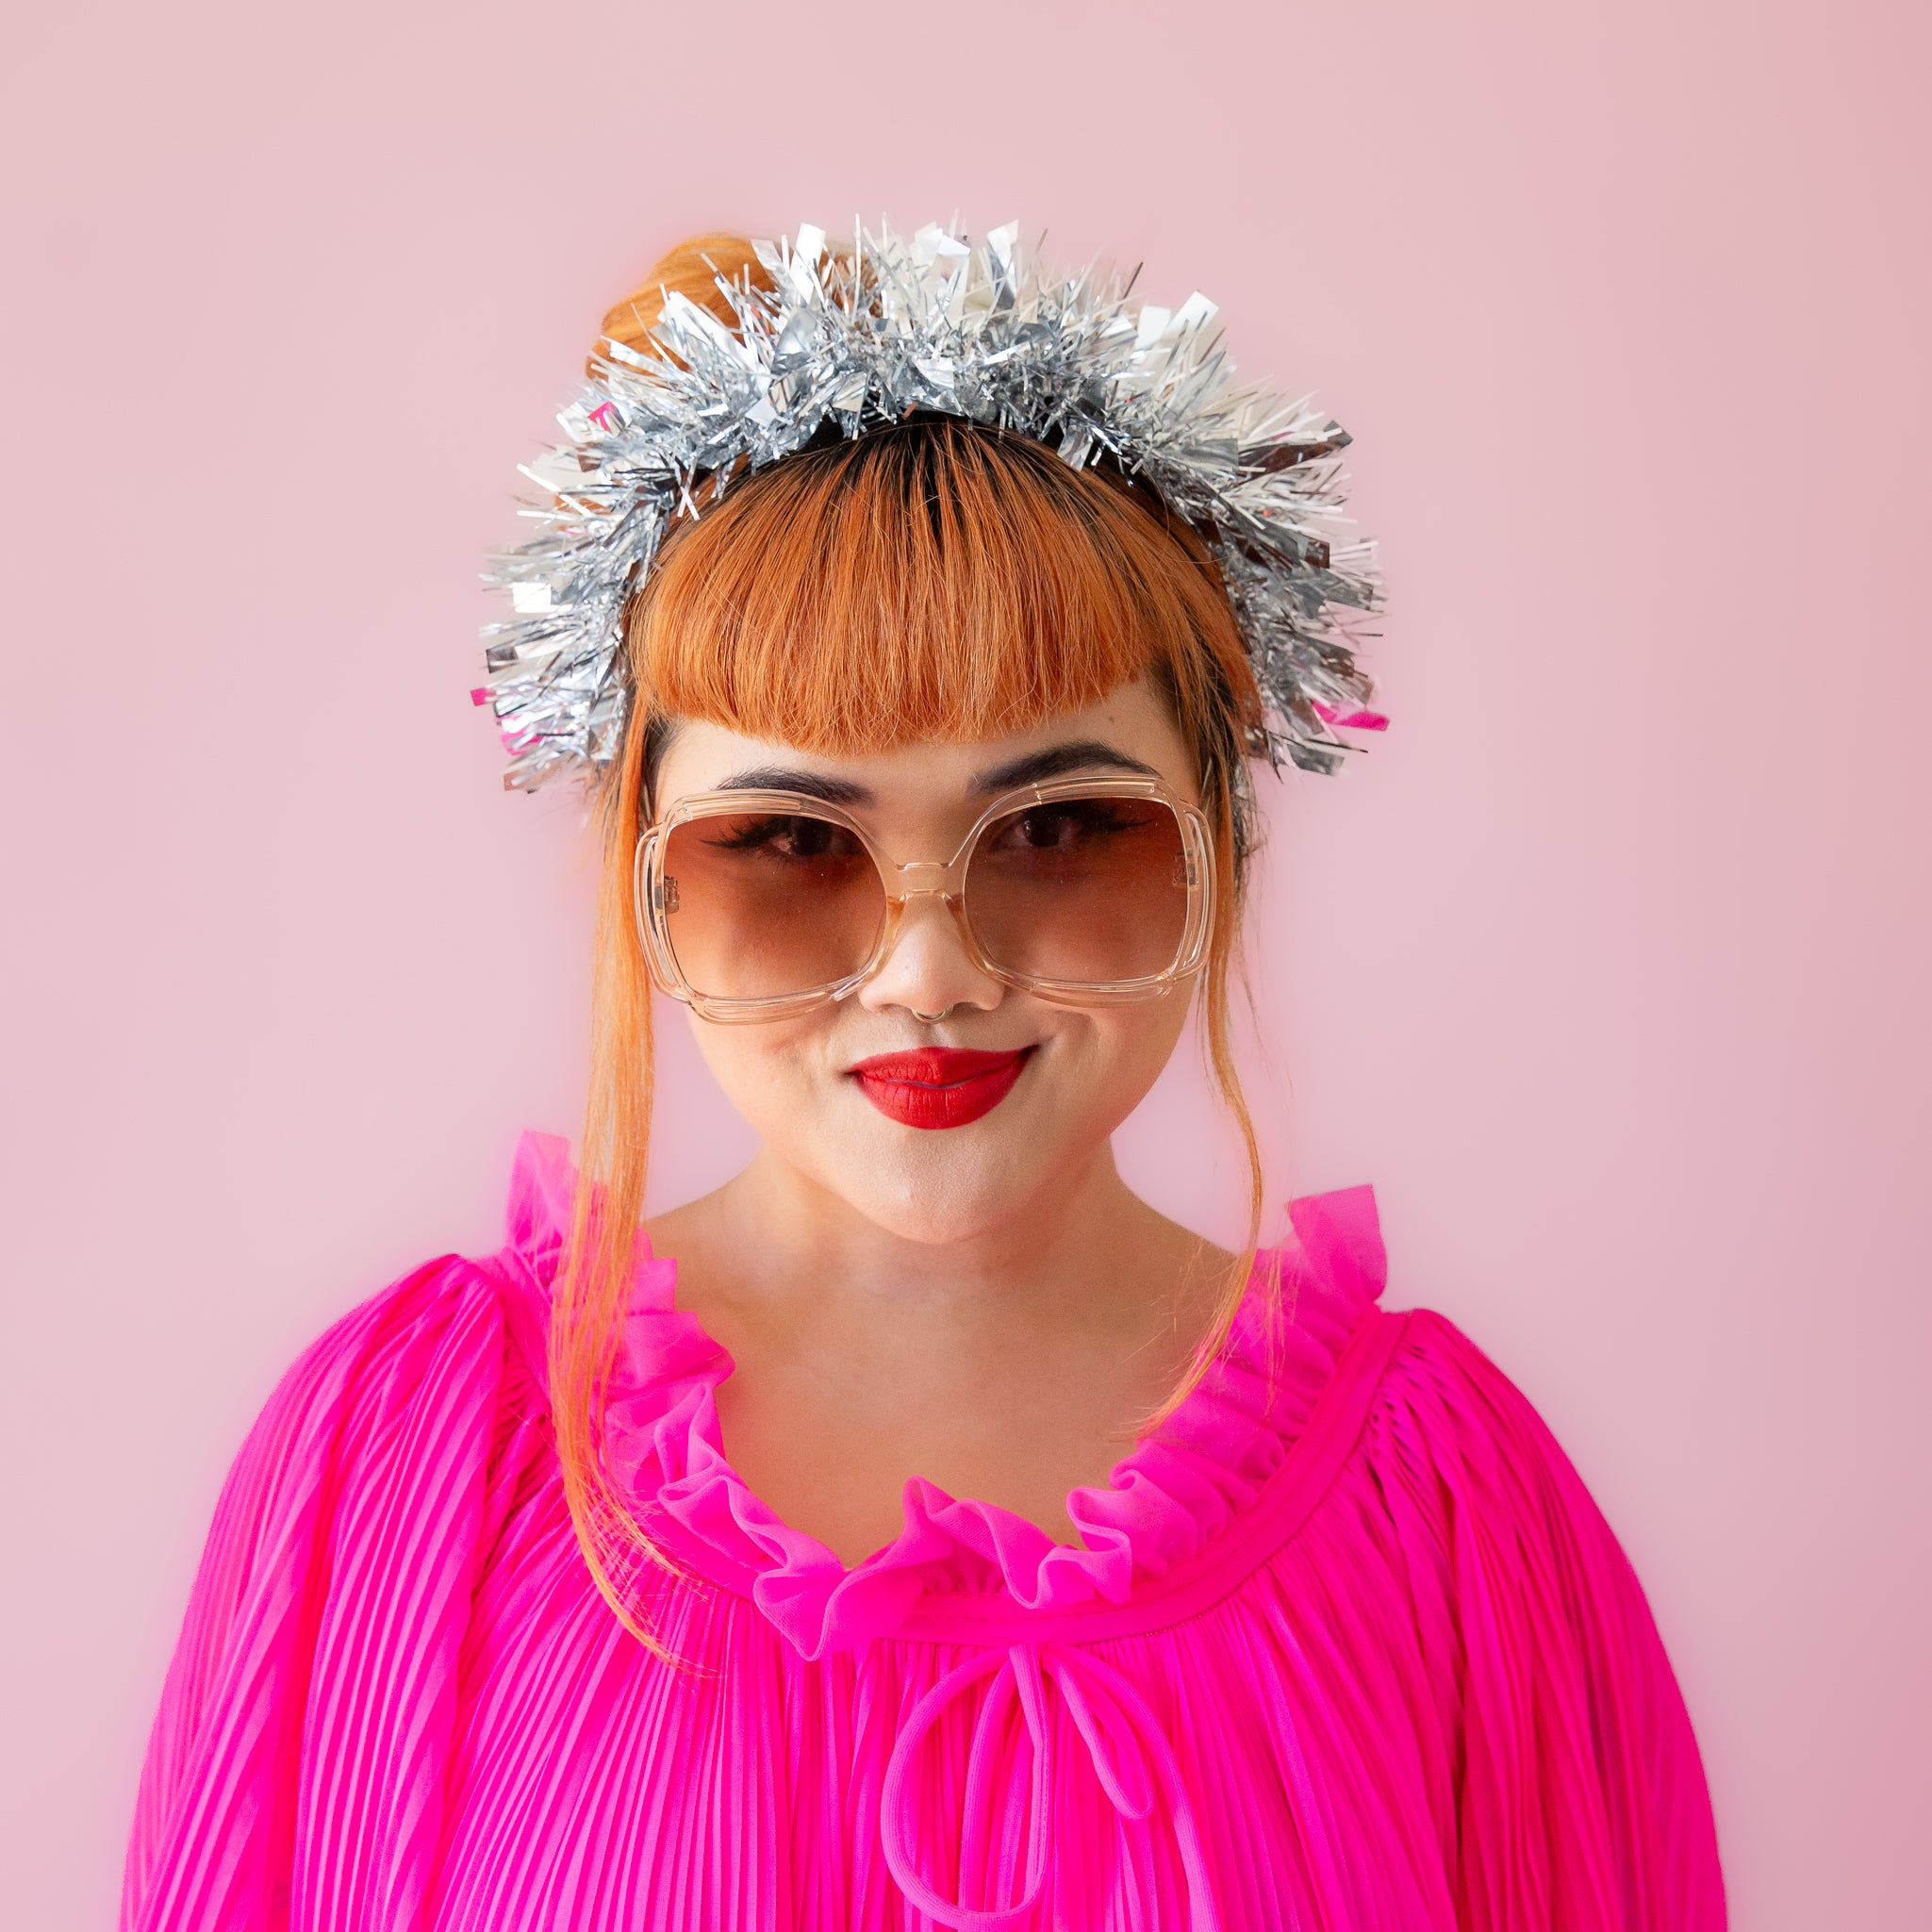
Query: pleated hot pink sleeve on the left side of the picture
[[295, 1776]]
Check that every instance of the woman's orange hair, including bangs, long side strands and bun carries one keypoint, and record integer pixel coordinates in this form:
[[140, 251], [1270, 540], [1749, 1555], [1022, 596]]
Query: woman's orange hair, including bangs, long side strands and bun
[[930, 581]]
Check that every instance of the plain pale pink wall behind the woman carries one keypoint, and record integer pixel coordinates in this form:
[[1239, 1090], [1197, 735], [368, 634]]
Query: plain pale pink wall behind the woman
[[1608, 967]]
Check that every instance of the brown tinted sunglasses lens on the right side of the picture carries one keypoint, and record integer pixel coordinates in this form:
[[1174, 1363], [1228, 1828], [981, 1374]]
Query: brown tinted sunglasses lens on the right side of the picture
[[1083, 890]]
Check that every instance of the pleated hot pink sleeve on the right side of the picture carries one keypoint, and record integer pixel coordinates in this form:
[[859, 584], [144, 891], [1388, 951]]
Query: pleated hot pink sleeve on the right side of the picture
[[1581, 1798]]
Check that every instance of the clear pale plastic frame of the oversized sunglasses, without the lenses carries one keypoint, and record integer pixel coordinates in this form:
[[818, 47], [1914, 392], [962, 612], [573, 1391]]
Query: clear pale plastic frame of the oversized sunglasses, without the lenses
[[909, 880]]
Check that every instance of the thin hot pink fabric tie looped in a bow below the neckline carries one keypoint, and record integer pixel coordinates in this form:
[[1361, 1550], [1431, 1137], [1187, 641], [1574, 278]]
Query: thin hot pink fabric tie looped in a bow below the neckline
[[1131, 1755]]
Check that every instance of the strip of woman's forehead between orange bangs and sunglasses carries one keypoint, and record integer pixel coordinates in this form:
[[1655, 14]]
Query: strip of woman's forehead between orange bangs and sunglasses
[[1131, 729]]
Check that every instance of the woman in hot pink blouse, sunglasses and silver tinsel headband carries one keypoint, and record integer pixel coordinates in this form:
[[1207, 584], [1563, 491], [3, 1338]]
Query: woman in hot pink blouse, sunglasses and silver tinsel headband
[[944, 1537]]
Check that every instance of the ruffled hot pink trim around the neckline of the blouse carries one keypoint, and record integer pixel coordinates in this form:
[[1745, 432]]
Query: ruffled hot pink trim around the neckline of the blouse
[[1168, 1498]]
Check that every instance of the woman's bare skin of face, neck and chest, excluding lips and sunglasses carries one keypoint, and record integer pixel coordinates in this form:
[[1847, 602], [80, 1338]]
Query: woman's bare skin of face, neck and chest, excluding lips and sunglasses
[[986, 1307]]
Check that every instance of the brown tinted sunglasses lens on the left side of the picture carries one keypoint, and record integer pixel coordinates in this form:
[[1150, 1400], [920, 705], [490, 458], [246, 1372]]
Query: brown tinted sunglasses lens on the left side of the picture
[[760, 905]]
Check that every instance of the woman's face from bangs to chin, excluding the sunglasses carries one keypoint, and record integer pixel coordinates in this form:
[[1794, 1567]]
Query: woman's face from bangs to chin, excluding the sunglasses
[[803, 1083]]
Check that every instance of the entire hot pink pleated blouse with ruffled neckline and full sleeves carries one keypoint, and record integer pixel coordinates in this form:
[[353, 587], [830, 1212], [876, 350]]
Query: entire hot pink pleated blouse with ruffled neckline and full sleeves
[[1348, 1647]]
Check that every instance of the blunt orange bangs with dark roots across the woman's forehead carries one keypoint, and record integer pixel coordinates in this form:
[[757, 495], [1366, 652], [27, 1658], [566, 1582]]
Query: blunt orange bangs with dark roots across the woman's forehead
[[924, 582]]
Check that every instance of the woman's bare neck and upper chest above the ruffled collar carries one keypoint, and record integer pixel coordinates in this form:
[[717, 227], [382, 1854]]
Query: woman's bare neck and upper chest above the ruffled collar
[[1011, 1363]]
